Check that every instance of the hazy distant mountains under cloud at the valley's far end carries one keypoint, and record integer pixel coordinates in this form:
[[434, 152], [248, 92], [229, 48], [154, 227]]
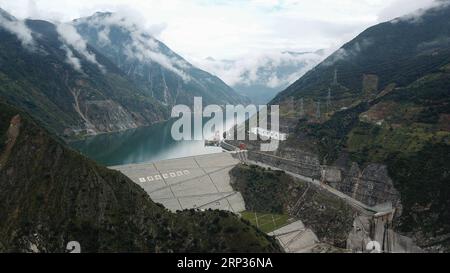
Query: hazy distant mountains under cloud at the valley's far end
[[260, 77]]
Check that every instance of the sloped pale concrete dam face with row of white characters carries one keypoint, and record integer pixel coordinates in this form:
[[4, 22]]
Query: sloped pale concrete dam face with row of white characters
[[199, 182]]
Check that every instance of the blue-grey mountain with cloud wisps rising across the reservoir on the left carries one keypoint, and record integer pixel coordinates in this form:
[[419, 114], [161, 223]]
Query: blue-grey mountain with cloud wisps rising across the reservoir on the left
[[76, 88]]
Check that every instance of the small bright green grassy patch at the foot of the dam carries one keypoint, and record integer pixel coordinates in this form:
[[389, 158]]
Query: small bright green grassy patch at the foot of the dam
[[266, 222]]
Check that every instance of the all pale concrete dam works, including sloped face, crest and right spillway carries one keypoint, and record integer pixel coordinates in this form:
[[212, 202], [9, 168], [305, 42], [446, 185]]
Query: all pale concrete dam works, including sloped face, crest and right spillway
[[203, 182]]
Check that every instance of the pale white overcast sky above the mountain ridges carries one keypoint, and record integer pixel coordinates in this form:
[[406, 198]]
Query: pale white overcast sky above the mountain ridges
[[228, 29]]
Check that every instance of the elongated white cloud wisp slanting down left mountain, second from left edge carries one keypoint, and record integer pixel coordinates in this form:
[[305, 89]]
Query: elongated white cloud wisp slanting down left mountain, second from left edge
[[69, 35]]
